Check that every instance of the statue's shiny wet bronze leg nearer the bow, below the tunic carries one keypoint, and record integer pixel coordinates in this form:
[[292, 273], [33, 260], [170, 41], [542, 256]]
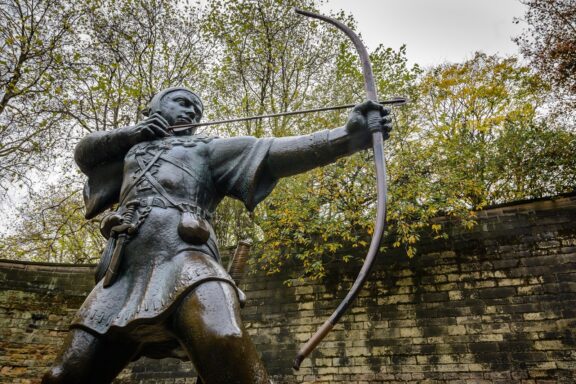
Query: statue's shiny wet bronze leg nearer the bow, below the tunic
[[208, 324]]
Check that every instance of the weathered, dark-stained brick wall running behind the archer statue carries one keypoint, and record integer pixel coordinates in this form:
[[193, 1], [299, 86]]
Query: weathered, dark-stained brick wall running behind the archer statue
[[493, 305]]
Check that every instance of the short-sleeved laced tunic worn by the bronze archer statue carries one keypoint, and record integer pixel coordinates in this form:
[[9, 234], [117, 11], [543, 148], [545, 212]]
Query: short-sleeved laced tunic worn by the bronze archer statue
[[158, 267]]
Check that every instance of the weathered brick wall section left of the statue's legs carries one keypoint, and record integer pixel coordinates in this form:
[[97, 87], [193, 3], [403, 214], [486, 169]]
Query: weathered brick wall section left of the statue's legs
[[36, 304]]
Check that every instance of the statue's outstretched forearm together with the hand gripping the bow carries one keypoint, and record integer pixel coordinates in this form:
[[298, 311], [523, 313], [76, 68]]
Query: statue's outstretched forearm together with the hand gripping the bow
[[292, 155]]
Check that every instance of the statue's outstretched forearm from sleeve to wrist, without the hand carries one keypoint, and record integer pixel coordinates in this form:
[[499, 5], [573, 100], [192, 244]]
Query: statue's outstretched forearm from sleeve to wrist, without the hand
[[292, 155]]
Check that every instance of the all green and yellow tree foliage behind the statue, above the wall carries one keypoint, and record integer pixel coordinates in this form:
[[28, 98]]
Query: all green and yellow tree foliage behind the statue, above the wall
[[474, 134]]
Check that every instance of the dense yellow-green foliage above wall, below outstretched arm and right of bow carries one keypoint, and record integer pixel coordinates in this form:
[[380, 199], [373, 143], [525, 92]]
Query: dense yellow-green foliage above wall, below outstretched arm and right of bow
[[470, 138]]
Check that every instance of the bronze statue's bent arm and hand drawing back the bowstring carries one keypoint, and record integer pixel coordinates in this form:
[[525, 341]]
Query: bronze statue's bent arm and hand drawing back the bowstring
[[108, 146]]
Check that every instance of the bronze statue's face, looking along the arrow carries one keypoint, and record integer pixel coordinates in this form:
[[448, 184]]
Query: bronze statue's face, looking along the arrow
[[180, 107]]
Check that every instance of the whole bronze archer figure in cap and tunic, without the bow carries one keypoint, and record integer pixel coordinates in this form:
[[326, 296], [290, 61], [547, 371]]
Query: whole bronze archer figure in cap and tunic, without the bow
[[161, 290]]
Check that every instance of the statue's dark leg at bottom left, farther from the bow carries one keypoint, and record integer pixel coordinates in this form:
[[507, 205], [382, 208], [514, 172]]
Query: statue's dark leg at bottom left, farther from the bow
[[88, 359]]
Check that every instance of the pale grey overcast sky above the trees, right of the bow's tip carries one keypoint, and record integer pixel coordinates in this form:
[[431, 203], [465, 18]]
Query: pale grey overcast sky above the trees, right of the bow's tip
[[435, 31]]
